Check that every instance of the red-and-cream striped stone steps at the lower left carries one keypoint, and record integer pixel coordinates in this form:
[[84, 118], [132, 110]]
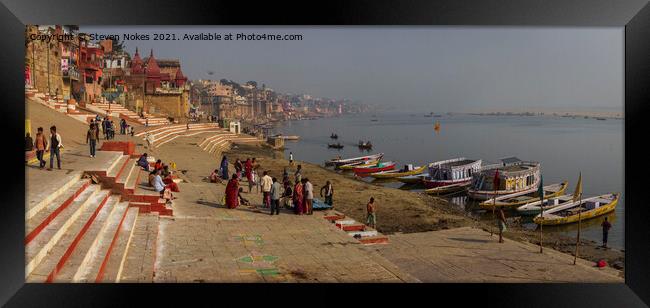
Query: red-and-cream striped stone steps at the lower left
[[95, 232]]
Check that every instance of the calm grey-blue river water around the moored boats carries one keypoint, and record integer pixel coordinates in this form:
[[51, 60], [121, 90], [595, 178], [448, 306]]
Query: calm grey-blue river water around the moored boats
[[564, 147]]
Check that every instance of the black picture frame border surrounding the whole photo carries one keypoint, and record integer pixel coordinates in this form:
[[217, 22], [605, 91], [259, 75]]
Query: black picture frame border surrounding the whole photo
[[633, 15]]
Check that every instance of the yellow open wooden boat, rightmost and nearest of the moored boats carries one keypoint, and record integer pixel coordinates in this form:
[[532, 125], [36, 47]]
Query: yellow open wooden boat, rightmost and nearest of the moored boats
[[570, 213]]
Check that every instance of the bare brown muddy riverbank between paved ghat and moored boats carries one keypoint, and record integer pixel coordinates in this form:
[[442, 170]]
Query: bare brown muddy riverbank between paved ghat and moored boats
[[402, 211]]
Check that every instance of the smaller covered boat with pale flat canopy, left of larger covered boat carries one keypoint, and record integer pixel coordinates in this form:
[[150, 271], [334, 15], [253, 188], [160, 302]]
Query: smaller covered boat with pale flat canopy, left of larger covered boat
[[451, 171]]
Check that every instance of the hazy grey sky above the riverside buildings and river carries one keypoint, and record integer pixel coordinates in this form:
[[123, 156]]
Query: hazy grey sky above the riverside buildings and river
[[420, 68]]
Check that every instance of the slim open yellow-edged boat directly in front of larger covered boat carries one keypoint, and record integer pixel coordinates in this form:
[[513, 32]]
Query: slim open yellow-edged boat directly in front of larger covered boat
[[519, 198]]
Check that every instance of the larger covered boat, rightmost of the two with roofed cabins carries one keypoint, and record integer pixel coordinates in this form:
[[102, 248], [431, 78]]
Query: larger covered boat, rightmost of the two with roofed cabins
[[515, 176]]
